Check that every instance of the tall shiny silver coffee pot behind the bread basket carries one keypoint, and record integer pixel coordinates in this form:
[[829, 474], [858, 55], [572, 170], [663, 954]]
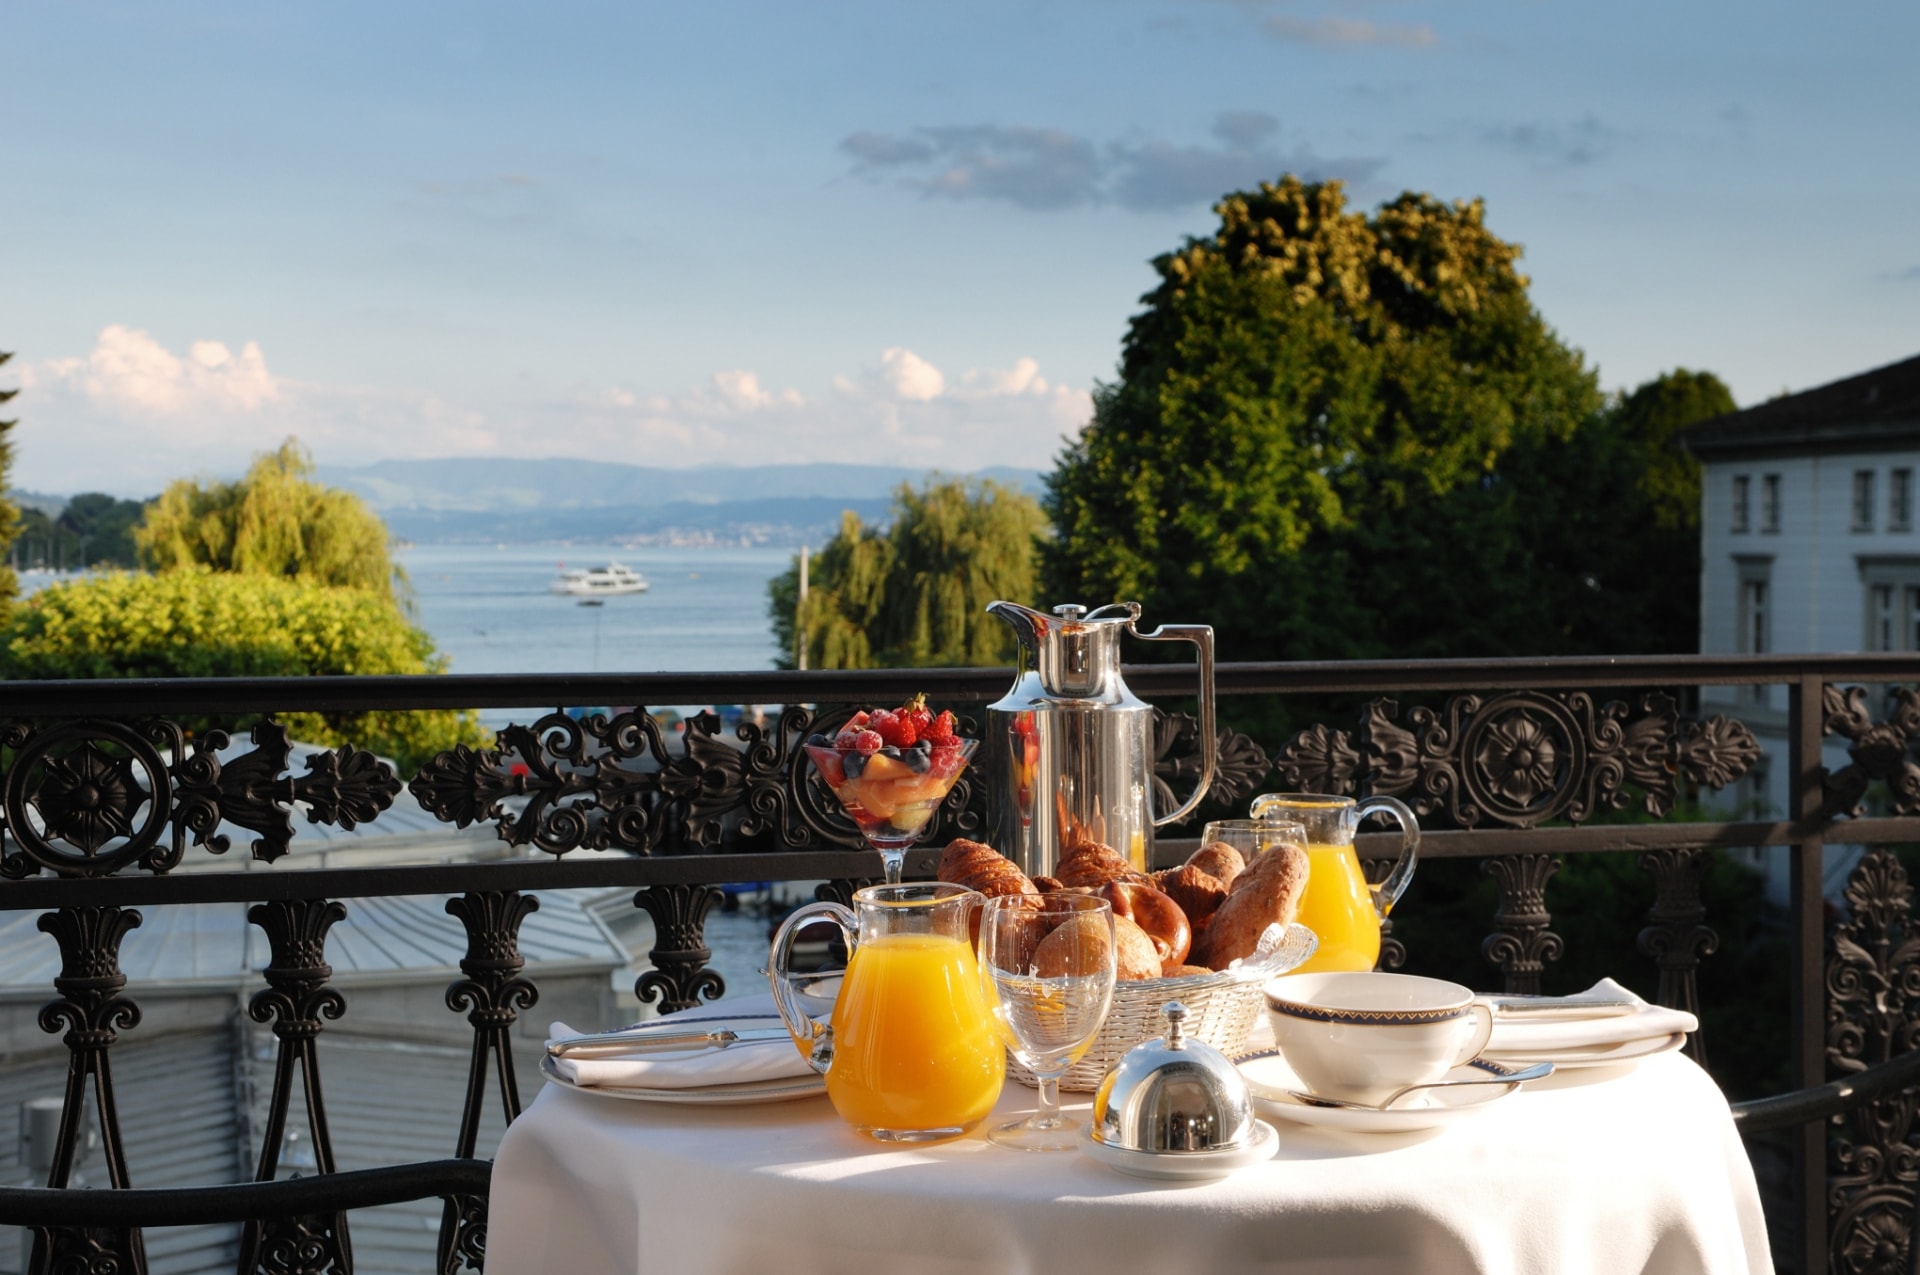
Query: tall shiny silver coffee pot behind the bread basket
[[1070, 750]]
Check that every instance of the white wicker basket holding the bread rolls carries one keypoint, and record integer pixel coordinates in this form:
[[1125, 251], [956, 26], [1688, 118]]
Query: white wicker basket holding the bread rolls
[[1222, 1009]]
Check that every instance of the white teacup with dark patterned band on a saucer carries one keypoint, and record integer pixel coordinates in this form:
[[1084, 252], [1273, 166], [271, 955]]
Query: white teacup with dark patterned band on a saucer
[[1360, 1036]]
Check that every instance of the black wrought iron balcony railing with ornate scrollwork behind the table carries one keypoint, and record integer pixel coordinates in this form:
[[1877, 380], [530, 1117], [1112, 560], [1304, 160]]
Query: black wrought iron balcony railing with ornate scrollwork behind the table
[[110, 807]]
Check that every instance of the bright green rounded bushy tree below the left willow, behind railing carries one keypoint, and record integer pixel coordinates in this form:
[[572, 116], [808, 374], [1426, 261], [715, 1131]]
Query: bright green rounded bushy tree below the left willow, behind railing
[[199, 623]]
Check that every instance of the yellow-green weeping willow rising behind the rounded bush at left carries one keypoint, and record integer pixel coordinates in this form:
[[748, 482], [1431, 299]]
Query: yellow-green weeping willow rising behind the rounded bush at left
[[272, 523]]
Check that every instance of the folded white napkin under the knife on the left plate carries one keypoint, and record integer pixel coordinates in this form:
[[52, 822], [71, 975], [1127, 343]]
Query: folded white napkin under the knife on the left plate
[[750, 1061]]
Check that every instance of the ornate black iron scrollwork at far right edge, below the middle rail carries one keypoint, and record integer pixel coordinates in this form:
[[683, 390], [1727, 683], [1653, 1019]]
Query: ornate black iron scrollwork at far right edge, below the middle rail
[[1873, 1013]]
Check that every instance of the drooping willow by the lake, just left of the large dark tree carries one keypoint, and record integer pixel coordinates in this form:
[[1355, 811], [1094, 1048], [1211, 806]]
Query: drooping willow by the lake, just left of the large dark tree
[[915, 594]]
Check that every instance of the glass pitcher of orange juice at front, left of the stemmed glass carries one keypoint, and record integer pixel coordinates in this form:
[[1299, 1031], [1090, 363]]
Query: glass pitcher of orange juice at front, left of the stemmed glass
[[911, 1051]]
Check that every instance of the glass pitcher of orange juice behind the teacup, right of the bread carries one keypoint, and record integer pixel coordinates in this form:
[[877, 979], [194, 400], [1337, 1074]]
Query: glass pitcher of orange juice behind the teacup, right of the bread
[[1339, 905]]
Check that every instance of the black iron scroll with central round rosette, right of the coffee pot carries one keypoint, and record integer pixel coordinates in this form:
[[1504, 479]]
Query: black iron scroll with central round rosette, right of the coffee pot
[[1522, 758]]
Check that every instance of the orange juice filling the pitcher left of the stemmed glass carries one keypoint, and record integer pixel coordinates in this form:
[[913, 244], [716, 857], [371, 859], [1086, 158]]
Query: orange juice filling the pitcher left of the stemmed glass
[[915, 1047]]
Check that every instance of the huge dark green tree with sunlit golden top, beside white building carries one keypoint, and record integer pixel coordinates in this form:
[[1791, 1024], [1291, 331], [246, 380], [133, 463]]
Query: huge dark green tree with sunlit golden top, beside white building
[[1305, 443]]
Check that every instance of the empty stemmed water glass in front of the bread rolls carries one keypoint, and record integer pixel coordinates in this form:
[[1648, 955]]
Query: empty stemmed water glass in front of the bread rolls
[[1051, 965]]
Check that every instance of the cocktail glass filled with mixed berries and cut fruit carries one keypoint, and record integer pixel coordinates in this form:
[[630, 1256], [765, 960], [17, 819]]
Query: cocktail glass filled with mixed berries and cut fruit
[[892, 792]]
